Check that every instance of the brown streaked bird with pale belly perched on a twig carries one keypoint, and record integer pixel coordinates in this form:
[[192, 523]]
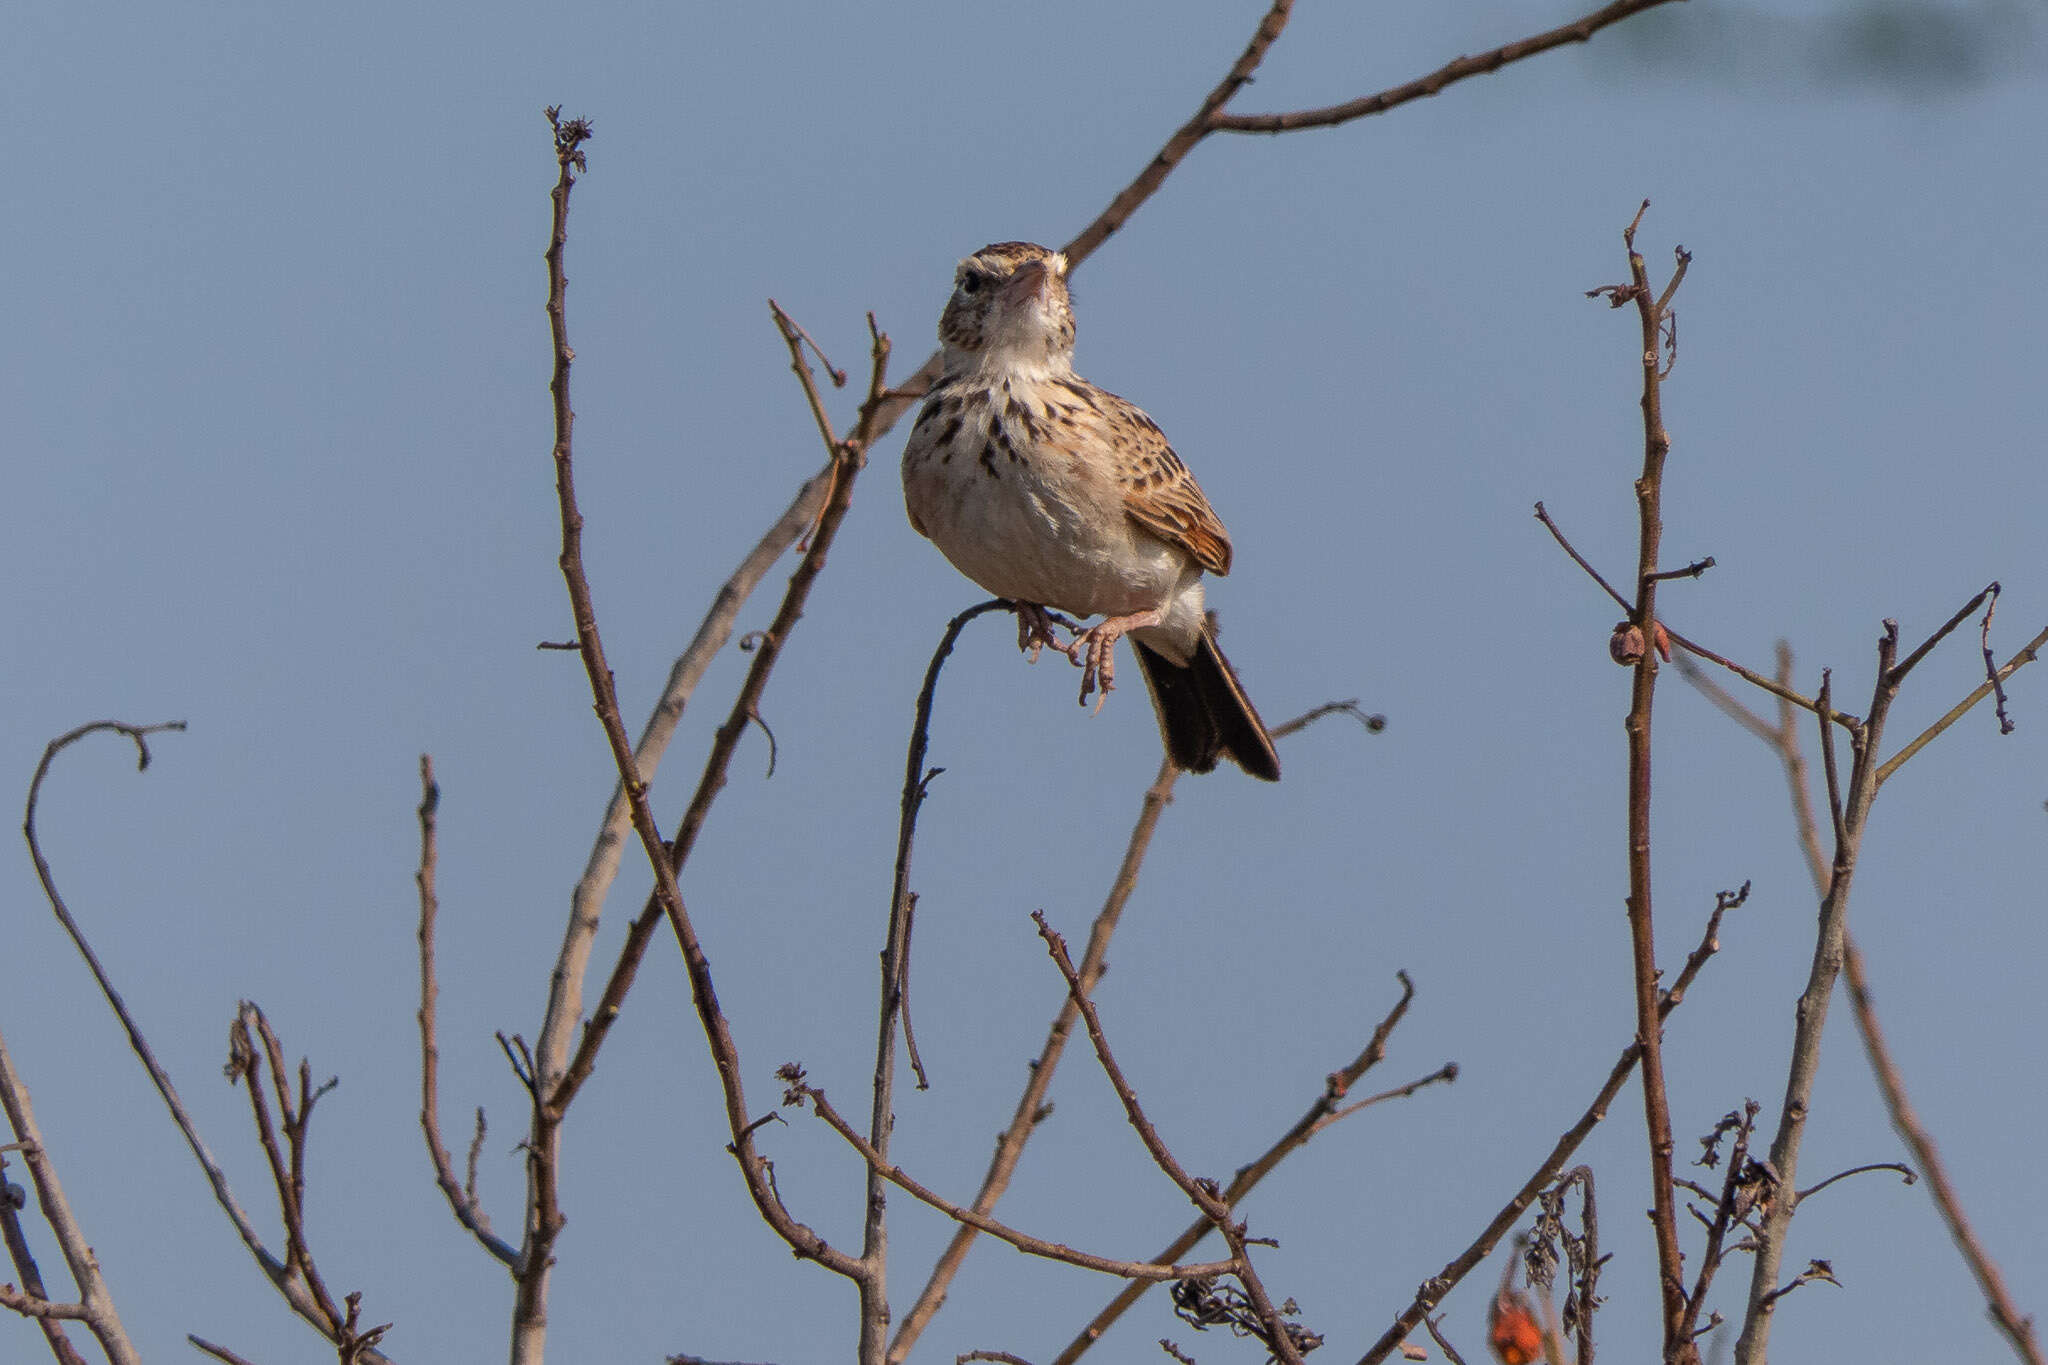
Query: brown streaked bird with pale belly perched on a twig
[[1060, 496]]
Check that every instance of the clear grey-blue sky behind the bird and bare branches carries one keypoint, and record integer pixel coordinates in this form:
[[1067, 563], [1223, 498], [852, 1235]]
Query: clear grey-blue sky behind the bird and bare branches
[[282, 470]]
